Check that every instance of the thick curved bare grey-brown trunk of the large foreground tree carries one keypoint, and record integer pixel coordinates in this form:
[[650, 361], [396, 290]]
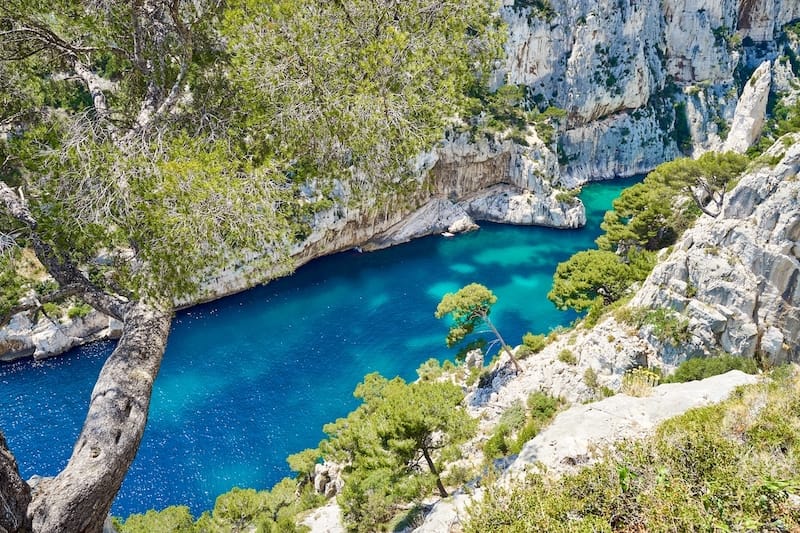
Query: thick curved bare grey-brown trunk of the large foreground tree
[[79, 498]]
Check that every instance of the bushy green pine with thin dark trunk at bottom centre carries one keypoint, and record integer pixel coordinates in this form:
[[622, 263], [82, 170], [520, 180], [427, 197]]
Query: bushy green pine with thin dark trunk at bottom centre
[[392, 445]]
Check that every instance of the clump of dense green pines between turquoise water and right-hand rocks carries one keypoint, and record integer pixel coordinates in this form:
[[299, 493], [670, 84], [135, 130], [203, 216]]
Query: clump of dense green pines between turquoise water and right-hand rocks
[[646, 217]]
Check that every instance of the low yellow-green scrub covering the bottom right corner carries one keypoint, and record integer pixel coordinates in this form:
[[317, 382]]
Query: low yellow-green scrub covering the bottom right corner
[[729, 467]]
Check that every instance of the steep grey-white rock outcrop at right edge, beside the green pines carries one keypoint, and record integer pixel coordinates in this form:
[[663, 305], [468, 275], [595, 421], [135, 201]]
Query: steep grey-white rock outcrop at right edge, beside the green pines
[[737, 277]]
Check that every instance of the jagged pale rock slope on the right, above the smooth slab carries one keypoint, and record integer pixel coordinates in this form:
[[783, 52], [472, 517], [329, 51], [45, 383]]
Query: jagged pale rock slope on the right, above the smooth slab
[[735, 280]]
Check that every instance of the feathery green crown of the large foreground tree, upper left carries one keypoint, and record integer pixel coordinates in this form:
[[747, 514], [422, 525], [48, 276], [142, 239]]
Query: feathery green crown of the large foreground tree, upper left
[[275, 101]]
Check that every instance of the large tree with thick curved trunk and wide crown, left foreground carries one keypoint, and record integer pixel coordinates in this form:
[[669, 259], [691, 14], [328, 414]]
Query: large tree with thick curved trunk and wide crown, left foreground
[[136, 130]]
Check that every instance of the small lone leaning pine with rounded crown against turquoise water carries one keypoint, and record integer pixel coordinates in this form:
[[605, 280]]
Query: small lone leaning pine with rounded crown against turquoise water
[[470, 307]]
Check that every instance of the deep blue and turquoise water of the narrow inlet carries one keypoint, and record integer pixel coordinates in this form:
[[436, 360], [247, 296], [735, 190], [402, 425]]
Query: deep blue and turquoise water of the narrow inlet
[[252, 378]]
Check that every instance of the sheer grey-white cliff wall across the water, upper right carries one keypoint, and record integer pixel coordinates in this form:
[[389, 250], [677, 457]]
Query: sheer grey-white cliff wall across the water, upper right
[[640, 80]]
